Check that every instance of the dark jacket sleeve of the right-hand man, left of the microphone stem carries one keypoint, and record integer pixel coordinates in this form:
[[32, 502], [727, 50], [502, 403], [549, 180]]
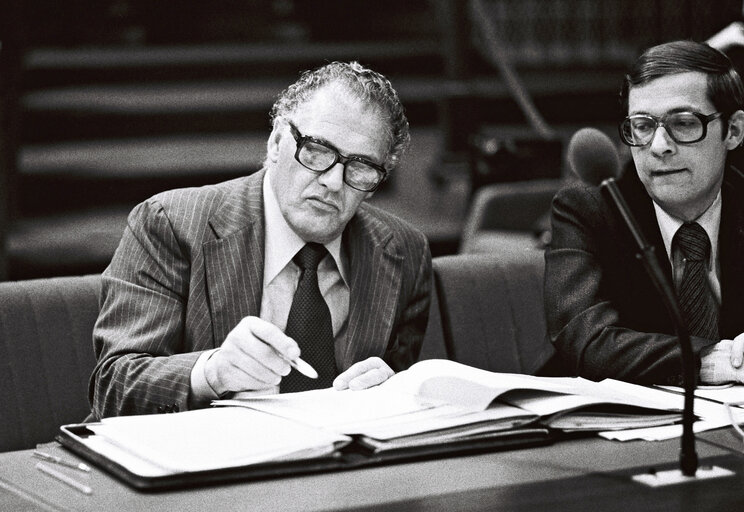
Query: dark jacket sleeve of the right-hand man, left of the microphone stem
[[603, 314]]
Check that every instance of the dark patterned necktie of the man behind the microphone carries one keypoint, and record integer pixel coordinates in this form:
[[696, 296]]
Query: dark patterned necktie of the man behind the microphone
[[699, 308]]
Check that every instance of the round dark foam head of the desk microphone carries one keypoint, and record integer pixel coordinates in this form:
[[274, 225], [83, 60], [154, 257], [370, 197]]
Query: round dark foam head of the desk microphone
[[592, 156]]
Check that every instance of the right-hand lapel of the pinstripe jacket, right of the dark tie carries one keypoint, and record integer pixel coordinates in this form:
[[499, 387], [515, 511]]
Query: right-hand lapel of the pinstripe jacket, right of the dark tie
[[376, 269]]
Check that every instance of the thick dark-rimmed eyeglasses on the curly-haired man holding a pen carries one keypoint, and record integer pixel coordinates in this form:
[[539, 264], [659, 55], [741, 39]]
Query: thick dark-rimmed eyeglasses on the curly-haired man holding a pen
[[318, 156]]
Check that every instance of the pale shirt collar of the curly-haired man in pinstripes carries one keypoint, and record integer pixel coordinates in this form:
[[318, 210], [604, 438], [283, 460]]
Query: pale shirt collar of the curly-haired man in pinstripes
[[281, 243]]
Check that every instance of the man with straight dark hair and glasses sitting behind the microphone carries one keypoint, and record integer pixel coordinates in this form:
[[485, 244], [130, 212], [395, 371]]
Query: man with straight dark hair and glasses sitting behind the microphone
[[683, 103]]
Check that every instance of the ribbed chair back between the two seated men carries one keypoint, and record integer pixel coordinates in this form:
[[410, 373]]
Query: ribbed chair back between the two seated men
[[492, 311]]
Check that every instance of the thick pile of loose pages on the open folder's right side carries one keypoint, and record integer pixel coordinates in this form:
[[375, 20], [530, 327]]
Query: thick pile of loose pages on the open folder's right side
[[438, 401]]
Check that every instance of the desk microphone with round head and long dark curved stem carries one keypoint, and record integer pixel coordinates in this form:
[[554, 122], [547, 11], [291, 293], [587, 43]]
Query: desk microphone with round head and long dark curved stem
[[593, 157]]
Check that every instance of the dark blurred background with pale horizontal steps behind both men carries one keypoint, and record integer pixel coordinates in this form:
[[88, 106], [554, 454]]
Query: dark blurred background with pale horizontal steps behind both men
[[107, 102]]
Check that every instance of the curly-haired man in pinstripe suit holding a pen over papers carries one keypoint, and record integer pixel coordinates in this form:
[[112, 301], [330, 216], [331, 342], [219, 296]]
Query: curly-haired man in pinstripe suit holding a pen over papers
[[196, 298]]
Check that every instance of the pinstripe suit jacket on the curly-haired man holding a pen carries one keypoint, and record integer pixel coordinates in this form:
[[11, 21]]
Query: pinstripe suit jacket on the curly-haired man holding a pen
[[190, 266]]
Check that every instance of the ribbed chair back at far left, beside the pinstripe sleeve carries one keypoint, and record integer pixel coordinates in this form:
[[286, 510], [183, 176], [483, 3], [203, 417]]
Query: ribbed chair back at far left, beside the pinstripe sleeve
[[46, 356]]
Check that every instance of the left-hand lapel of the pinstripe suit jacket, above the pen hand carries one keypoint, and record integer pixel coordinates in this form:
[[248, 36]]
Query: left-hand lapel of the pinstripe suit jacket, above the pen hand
[[233, 261]]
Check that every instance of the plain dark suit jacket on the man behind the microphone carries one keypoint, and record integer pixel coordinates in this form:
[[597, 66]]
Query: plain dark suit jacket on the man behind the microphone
[[604, 315]]
